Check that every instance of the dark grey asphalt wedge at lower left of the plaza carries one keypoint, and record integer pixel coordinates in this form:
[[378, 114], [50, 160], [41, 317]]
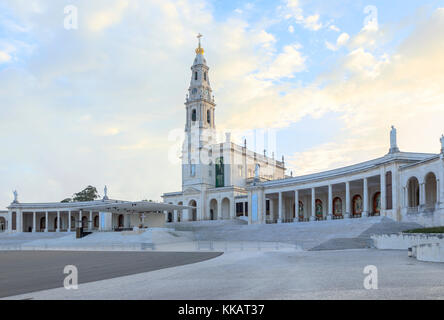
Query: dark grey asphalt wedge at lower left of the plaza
[[24, 272]]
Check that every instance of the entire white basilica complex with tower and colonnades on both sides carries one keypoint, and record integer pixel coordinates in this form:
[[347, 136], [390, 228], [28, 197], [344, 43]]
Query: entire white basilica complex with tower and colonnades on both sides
[[224, 180]]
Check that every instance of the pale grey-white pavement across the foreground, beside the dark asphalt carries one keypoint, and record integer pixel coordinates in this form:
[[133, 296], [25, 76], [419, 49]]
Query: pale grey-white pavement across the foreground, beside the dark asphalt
[[273, 275]]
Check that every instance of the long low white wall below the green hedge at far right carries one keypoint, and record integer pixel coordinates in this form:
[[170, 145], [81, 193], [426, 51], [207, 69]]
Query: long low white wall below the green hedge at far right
[[403, 241]]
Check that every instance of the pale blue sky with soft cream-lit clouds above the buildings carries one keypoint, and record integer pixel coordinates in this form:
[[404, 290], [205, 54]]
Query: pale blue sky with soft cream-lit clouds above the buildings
[[93, 92]]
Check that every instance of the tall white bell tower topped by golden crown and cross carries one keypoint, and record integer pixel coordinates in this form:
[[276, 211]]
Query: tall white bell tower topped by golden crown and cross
[[200, 126]]
